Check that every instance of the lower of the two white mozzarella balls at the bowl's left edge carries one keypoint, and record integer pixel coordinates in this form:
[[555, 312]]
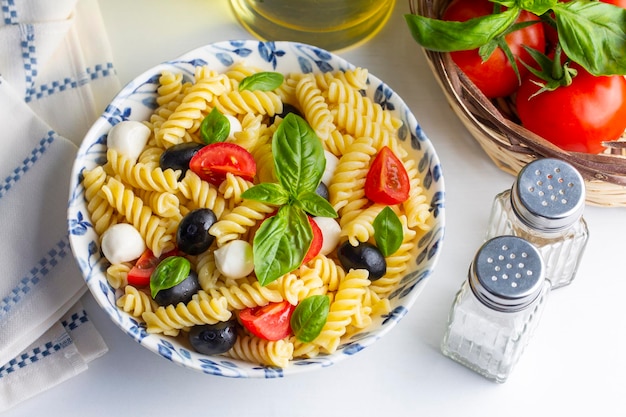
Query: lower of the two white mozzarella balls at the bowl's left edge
[[122, 243]]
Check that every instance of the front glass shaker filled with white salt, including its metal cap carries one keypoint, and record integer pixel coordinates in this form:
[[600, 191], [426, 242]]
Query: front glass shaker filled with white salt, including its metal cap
[[497, 308]]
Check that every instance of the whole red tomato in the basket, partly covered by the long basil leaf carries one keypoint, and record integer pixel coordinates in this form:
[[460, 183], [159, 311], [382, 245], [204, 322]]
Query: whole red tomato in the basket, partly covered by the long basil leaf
[[495, 77]]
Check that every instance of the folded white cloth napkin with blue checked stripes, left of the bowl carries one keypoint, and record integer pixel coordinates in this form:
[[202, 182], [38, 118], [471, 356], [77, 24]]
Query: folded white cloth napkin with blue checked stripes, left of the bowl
[[56, 77]]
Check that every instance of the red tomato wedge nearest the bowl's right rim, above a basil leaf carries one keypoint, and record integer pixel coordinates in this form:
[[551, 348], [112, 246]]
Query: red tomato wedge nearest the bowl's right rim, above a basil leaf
[[387, 181]]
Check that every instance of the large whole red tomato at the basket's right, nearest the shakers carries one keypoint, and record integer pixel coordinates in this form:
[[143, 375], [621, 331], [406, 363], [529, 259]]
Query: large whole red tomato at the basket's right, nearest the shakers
[[578, 117]]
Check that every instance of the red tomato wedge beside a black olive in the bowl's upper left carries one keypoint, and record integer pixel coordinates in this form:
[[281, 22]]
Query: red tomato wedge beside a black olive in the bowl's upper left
[[214, 161]]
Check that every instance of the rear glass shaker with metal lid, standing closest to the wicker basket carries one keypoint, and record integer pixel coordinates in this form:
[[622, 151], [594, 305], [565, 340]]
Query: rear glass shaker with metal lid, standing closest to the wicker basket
[[545, 206]]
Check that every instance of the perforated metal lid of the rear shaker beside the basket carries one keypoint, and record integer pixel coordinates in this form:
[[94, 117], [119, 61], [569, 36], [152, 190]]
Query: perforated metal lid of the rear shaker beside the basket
[[548, 194]]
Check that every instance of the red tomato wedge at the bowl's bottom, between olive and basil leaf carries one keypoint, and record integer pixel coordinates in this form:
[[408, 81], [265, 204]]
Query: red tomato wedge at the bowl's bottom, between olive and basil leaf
[[270, 322]]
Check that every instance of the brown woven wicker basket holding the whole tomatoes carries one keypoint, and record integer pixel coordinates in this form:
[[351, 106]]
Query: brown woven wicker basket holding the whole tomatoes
[[493, 124]]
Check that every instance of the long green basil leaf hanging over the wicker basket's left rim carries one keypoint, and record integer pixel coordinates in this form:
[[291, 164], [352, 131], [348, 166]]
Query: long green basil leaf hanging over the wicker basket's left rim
[[448, 36]]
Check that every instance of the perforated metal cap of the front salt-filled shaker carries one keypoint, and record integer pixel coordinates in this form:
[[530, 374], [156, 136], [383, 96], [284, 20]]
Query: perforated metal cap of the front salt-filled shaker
[[507, 273]]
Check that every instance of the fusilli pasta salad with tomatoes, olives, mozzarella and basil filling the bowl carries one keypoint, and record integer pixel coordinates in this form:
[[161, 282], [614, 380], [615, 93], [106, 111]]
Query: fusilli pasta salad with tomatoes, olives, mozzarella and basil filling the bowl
[[284, 219]]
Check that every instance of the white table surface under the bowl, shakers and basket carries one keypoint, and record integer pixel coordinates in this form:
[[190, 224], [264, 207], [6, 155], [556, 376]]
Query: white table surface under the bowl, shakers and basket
[[576, 362]]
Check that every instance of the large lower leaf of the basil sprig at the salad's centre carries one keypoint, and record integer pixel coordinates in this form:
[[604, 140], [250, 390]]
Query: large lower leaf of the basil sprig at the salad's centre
[[281, 243]]
